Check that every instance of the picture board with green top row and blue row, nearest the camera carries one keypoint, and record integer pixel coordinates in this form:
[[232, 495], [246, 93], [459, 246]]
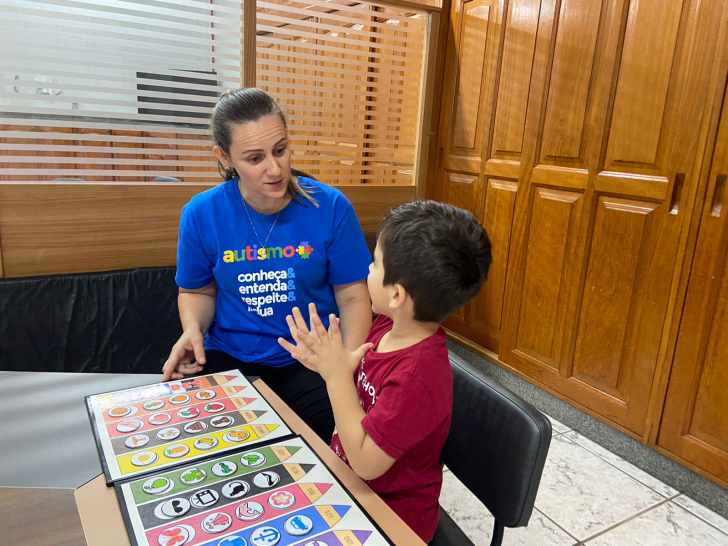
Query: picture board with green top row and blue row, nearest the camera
[[277, 495]]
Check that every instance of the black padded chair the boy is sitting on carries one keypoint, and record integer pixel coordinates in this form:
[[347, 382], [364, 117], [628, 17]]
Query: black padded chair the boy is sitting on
[[497, 448]]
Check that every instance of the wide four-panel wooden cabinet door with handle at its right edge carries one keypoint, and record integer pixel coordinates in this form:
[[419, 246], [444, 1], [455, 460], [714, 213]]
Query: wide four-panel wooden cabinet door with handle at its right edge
[[613, 125]]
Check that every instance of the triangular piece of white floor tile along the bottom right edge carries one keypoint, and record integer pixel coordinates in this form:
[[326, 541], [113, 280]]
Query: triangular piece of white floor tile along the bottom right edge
[[666, 525]]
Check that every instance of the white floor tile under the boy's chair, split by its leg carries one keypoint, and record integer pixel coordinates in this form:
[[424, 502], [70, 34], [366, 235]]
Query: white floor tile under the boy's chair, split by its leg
[[477, 522]]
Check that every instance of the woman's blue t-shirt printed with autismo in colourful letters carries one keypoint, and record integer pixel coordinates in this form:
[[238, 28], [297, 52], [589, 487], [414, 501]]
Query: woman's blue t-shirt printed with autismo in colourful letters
[[309, 250]]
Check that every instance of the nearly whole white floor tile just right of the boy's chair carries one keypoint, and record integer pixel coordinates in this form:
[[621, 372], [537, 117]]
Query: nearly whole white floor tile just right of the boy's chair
[[584, 494]]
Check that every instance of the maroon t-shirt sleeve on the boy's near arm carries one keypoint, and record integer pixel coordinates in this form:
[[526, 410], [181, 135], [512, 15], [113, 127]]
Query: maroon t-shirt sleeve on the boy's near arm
[[403, 415]]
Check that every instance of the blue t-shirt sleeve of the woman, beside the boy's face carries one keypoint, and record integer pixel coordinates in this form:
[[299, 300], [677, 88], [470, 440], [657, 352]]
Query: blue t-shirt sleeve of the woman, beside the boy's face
[[348, 254]]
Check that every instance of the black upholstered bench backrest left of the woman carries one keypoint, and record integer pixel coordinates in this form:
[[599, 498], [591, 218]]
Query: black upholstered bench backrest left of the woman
[[114, 322]]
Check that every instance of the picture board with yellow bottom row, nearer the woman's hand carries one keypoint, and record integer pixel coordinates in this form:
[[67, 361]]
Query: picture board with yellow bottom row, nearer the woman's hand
[[167, 424]]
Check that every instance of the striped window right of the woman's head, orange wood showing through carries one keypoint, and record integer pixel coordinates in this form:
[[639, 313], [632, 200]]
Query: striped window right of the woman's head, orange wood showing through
[[349, 75]]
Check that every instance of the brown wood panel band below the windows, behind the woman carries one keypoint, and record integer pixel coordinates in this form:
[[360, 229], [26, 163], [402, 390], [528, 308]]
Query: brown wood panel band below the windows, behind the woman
[[57, 228]]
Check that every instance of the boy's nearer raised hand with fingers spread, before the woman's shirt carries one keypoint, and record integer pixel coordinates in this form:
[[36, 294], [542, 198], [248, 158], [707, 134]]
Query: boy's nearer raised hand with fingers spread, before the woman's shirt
[[324, 352]]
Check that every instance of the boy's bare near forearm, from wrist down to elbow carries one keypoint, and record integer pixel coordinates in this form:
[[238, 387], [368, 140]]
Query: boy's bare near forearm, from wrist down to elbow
[[367, 459]]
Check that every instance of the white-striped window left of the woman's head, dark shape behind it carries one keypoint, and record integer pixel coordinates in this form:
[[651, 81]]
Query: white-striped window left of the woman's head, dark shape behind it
[[113, 90]]
